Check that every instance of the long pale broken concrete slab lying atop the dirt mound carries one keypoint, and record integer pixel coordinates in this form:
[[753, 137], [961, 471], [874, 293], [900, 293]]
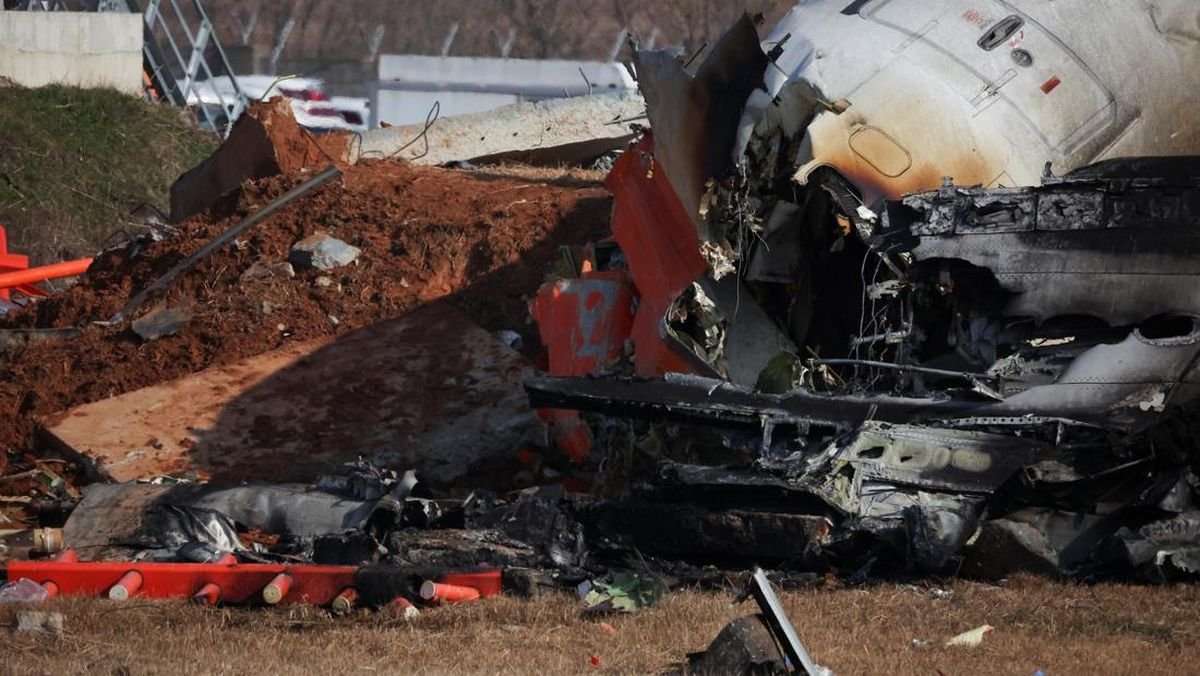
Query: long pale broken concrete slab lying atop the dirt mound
[[557, 131]]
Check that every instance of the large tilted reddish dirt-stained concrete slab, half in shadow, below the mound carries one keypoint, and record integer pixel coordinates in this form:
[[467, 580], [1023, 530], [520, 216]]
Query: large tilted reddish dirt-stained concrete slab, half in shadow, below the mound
[[429, 391]]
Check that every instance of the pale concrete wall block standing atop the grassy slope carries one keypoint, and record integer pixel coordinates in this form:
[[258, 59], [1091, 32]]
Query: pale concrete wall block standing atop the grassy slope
[[77, 49]]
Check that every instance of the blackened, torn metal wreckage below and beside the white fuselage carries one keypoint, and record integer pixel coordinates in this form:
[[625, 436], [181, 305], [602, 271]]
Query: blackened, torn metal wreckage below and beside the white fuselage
[[958, 380]]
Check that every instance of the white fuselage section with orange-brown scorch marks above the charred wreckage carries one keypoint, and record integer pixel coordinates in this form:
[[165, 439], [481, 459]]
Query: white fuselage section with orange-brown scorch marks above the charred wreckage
[[986, 92]]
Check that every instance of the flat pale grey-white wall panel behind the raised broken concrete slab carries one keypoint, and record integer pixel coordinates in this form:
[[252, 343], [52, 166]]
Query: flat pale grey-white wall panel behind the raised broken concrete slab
[[410, 86]]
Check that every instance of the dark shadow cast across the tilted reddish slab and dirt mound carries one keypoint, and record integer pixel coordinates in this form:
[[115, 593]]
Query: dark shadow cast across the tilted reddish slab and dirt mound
[[429, 390]]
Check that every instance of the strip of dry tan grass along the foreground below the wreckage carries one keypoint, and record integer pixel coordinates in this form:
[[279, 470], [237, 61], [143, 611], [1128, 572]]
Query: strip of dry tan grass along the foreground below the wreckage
[[1039, 625]]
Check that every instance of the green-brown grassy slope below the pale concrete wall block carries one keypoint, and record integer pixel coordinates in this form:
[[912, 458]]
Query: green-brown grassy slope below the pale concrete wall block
[[75, 163]]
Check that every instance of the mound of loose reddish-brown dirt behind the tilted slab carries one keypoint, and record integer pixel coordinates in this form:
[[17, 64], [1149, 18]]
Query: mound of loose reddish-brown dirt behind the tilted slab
[[482, 242]]
